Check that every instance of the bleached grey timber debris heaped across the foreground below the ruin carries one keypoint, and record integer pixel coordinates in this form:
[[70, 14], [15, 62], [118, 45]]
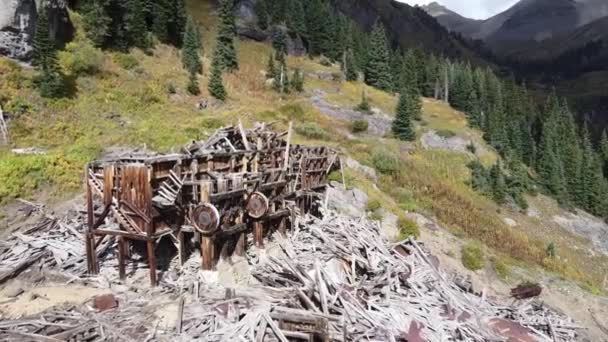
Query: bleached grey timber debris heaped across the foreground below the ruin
[[331, 279]]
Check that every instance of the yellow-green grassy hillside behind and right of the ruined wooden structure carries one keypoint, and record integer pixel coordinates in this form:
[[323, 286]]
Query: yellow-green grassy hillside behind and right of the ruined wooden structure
[[119, 107]]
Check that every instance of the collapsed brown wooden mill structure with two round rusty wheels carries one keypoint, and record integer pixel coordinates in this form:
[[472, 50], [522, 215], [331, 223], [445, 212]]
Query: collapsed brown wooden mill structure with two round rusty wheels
[[215, 191]]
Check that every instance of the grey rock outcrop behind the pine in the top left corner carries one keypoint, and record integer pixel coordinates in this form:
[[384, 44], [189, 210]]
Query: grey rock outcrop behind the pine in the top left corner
[[18, 24]]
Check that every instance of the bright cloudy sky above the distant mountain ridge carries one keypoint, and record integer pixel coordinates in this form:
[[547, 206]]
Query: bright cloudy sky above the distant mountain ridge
[[477, 9]]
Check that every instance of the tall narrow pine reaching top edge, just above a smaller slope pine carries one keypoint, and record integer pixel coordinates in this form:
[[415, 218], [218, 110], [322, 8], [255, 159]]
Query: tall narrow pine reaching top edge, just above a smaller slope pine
[[225, 51]]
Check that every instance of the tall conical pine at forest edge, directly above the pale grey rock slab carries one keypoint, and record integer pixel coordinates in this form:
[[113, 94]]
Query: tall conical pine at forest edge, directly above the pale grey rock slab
[[377, 71]]
